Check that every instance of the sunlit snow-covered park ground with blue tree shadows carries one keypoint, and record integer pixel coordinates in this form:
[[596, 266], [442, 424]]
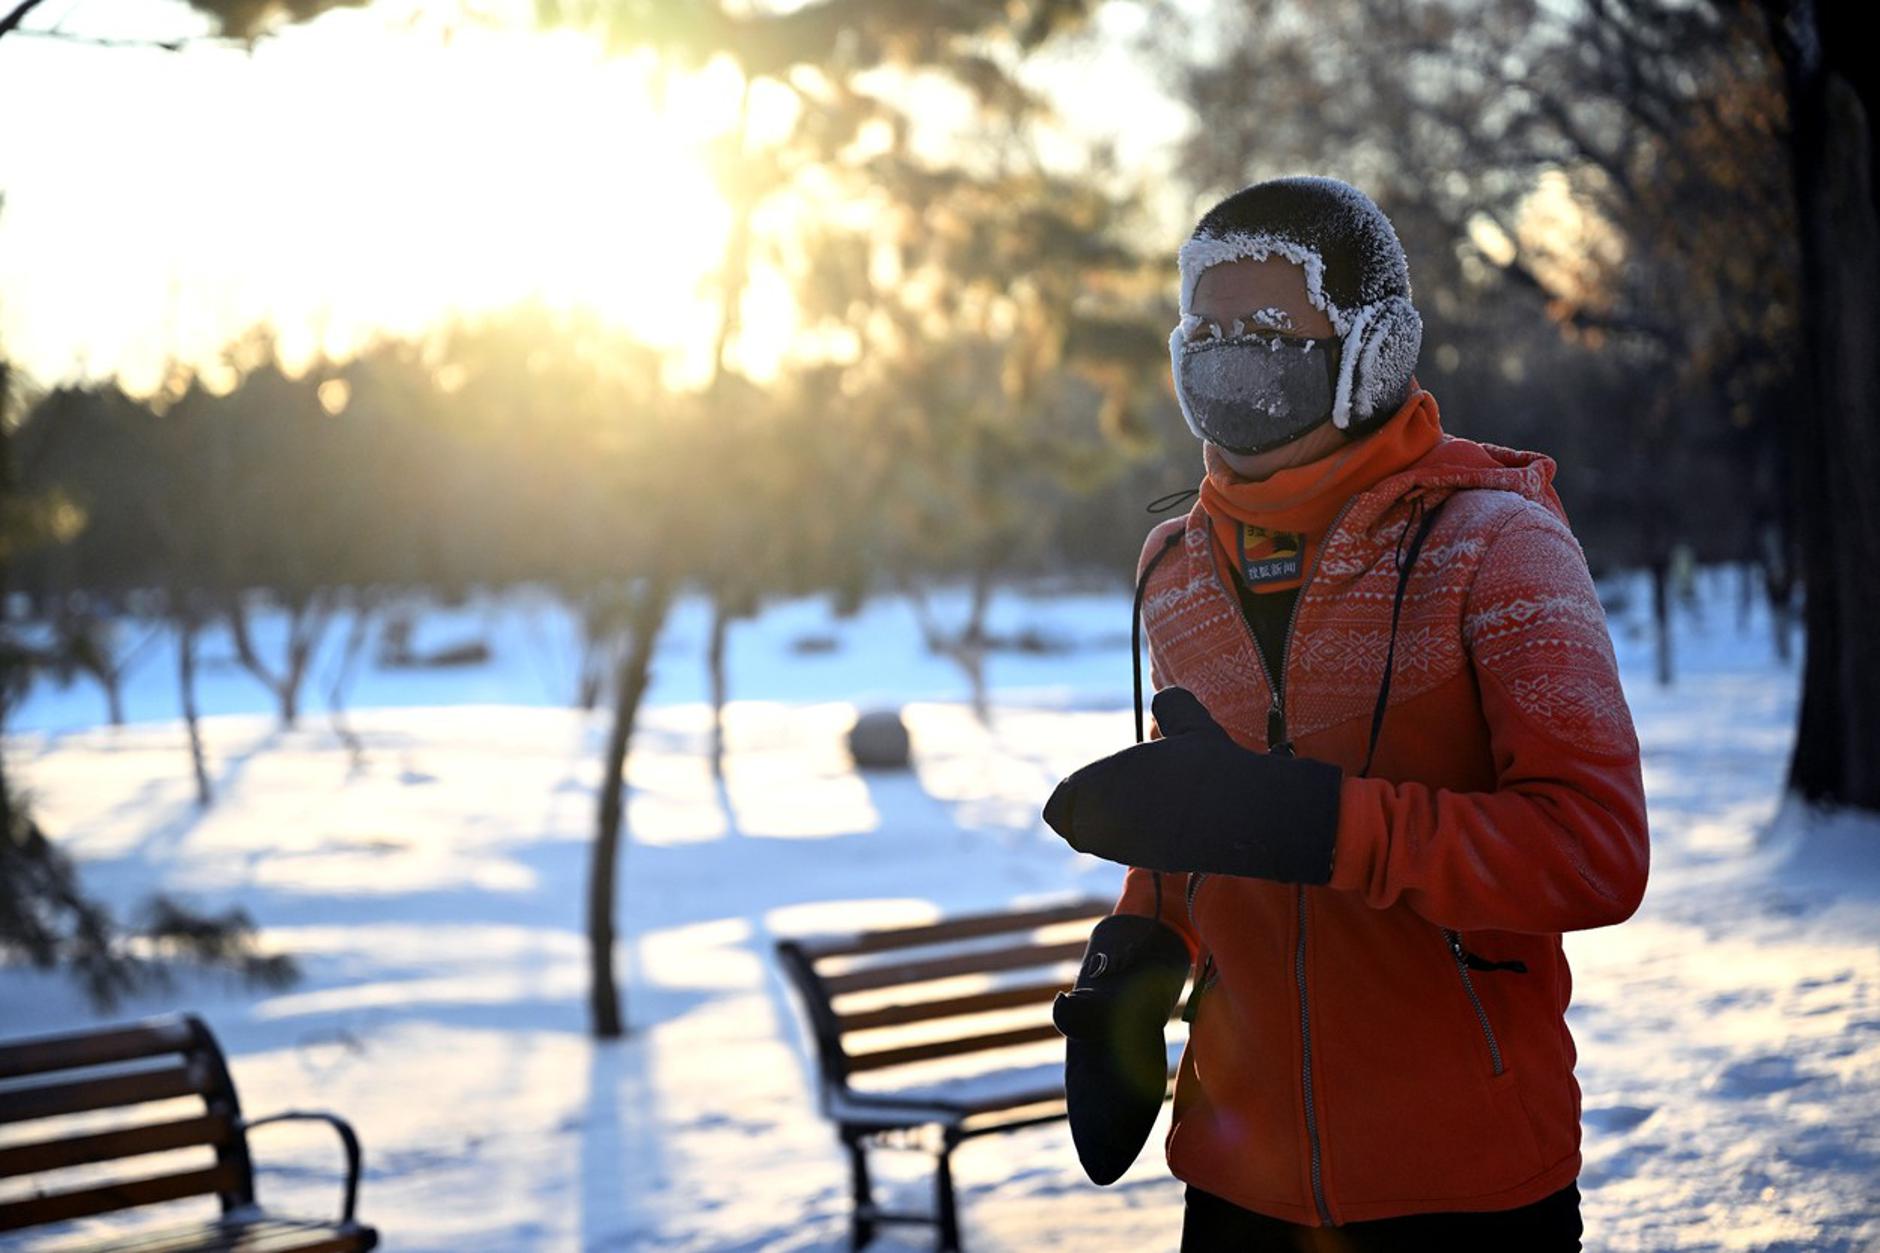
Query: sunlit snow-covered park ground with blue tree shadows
[[1729, 1036]]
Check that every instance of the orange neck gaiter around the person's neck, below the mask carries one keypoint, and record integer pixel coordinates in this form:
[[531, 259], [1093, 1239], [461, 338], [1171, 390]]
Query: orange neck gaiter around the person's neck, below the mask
[[1270, 530]]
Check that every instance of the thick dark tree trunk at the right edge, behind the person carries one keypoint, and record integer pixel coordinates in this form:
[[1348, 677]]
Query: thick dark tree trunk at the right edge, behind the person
[[1838, 436]]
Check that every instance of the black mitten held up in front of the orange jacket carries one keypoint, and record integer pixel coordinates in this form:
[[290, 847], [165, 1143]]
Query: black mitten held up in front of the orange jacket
[[1198, 802]]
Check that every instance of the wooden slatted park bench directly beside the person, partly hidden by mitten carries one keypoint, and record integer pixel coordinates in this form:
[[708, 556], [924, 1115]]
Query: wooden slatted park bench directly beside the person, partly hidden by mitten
[[896, 1002]]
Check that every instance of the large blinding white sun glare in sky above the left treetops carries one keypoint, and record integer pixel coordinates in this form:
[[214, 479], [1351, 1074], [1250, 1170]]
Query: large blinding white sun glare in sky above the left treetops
[[347, 182]]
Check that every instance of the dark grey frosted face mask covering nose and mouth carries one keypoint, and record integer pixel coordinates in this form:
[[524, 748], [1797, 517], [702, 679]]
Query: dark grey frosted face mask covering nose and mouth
[[1251, 390]]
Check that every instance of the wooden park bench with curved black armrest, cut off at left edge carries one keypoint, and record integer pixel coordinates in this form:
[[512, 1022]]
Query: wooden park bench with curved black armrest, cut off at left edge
[[74, 1107]]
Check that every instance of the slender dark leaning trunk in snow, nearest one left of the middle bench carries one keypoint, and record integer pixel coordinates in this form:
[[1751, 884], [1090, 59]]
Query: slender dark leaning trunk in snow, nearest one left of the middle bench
[[646, 616]]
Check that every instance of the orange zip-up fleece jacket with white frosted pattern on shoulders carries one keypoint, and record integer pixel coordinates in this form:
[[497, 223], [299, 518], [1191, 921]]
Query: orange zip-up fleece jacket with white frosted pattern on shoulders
[[1347, 1064]]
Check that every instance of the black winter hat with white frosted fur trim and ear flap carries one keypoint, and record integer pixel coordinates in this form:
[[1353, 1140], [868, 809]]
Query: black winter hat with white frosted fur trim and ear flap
[[1355, 274]]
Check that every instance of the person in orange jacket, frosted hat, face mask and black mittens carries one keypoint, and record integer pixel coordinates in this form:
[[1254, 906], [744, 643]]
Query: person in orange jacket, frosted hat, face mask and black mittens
[[1392, 765]]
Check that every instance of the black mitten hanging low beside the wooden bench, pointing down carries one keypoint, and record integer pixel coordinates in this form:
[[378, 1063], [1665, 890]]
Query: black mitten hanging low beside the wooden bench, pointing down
[[1116, 1058]]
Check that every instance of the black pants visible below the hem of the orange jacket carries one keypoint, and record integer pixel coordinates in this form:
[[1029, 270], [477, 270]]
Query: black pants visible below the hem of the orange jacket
[[1550, 1226]]
